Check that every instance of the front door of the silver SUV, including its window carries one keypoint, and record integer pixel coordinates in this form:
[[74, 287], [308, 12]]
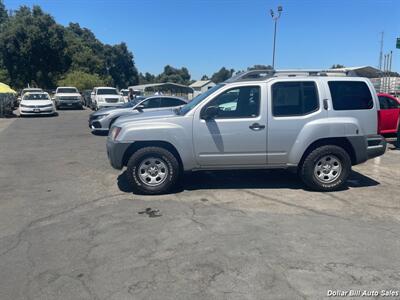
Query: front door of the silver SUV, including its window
[[237, 136]]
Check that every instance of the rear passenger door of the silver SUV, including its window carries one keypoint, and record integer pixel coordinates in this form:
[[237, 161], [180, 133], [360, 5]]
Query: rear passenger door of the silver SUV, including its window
[[292, 104]]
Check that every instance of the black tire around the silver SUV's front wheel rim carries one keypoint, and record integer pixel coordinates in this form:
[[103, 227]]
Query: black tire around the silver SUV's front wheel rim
[[147, 153]]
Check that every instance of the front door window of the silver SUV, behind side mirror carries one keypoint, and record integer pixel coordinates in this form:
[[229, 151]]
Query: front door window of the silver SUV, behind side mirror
[[241, 102]]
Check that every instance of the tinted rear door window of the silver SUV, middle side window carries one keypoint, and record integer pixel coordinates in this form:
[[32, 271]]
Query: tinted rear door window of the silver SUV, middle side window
[[294, 98]]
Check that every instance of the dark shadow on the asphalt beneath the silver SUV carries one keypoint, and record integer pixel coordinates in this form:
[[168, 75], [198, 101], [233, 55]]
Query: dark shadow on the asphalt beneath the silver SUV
[[247, 179]]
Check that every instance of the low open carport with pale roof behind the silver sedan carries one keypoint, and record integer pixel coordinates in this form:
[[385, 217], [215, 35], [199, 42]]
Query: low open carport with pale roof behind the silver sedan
[[167, 88]]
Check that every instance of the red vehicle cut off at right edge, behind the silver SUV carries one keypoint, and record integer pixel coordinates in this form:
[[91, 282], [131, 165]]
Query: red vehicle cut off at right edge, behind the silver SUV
[[388, 115]]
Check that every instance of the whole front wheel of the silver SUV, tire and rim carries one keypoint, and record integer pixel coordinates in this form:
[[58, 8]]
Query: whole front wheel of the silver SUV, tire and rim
[[152, 170]]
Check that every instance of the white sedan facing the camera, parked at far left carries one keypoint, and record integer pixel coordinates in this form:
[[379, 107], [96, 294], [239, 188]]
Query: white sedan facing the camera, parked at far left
[[37, 103]]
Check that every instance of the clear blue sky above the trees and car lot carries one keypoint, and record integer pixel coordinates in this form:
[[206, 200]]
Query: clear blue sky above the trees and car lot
[[205, 35]]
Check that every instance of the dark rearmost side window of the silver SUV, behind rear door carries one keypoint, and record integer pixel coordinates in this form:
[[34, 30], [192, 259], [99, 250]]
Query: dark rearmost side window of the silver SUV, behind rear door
[[350, 95]]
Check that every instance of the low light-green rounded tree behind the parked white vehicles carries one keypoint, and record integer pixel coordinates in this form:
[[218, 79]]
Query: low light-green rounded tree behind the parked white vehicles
[[81, 80]]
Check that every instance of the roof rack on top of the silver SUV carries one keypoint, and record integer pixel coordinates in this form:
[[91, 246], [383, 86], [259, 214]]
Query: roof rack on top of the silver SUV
[[266, 74]]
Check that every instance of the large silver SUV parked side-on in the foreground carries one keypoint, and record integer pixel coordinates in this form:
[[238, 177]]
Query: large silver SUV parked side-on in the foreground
[[311, 121]]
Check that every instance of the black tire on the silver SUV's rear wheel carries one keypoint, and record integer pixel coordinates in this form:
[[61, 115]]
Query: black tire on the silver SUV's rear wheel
[[312, 177]]
